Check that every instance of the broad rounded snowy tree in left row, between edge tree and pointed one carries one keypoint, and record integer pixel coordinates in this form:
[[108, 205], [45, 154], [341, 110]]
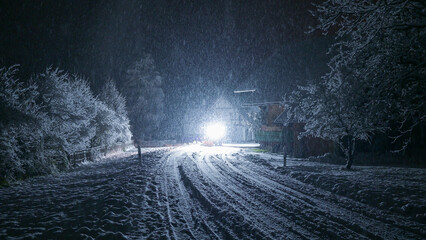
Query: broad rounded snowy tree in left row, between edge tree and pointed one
[[69, 109]]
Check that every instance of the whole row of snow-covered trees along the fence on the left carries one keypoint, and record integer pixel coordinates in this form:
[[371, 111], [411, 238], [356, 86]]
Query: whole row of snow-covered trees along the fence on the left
[[42, 123]]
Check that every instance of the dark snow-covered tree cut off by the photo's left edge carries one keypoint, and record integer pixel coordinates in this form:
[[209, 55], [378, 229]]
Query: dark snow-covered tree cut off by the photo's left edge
[[19, 132]]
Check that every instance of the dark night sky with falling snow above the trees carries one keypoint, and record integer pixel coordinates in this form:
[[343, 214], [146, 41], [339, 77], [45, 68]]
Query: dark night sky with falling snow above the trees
[[202, 49]]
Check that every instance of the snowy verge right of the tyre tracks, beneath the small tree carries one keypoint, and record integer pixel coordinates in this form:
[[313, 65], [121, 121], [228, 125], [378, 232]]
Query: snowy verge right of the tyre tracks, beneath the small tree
[[399, 190]]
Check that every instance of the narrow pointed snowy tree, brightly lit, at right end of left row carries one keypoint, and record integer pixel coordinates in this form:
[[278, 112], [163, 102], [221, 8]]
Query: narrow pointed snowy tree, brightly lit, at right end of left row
[[111, 120]]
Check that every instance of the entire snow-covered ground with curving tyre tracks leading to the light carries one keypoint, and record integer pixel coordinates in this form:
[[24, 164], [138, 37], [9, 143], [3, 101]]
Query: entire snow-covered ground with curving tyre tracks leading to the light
[[196, 192]]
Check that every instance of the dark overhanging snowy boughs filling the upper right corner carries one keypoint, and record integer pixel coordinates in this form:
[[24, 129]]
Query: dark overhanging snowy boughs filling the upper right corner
[[381, 44]]
